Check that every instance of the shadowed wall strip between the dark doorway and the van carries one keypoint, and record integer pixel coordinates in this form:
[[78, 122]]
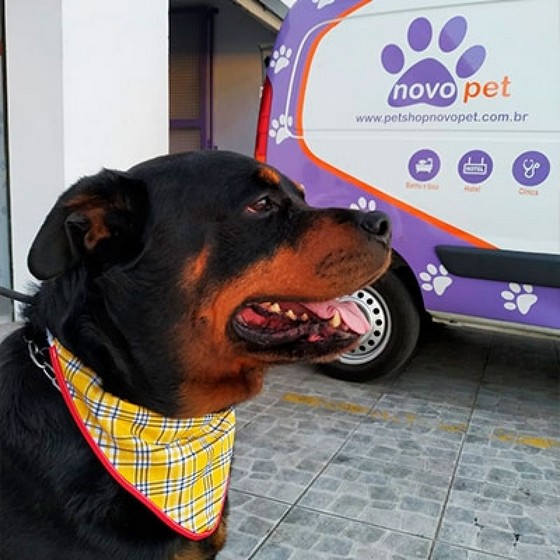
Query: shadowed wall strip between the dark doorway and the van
[[237, 77]]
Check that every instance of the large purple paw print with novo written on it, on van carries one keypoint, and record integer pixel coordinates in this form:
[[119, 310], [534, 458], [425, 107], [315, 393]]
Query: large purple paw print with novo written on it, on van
[[429, 80]]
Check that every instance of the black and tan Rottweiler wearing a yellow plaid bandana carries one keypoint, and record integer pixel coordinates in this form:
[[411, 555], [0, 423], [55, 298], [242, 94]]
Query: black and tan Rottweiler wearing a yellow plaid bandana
[[173, 286]]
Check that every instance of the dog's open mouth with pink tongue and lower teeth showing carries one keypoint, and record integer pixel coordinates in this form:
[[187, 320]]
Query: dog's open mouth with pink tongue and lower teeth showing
[[300, 330]]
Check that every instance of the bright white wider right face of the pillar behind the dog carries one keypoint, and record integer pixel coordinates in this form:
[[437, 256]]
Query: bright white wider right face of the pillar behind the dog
[[115, 78]]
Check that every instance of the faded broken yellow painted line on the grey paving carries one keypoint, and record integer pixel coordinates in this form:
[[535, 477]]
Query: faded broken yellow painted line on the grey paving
[[409, 418]]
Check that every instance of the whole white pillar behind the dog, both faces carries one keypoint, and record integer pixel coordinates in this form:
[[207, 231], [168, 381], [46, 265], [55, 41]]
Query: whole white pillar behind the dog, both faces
[[87, 88]]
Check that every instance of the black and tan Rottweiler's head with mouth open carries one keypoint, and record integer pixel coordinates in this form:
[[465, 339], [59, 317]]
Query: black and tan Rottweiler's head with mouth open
[[190, 274]]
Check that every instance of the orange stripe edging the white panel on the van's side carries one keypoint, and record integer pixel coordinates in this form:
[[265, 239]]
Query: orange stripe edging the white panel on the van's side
[[448, 228]]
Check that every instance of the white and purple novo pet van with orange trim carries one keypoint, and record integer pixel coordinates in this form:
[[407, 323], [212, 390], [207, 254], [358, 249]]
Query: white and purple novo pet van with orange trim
[[446, 116]]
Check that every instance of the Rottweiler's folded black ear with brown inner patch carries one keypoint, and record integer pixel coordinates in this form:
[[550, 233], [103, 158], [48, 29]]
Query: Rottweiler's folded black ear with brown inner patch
[[100, 219]]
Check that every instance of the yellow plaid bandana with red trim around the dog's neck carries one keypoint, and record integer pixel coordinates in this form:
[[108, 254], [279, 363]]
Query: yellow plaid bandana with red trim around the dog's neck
[[178, 468]]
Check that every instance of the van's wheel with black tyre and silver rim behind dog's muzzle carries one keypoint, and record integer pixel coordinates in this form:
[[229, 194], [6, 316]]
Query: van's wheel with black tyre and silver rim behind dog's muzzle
[[395, 320]]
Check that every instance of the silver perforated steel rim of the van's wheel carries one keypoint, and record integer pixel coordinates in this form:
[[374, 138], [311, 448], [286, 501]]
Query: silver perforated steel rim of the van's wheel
[[374, 342]]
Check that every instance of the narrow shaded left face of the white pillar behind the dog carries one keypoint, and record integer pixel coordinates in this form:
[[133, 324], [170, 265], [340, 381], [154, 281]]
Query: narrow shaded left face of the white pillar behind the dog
[[35, 118]]
